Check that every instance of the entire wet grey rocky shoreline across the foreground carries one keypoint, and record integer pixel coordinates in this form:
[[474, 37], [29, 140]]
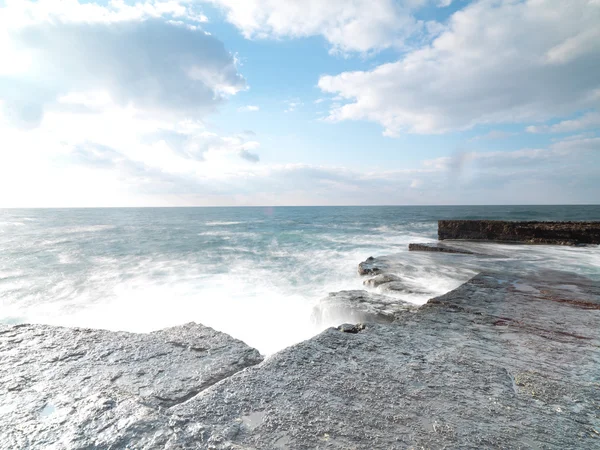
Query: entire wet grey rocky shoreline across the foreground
[[504, 361]]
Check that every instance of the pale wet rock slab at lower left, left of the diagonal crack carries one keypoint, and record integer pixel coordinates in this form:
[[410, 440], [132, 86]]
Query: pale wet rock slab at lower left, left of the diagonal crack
[[81, 388]]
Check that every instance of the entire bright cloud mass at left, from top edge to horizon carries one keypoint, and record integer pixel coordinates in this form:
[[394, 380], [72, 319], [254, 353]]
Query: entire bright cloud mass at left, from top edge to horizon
[[103, 105]]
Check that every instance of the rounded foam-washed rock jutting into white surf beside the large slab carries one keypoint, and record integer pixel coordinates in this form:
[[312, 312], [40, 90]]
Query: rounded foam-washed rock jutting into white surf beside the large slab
[[358, 306]]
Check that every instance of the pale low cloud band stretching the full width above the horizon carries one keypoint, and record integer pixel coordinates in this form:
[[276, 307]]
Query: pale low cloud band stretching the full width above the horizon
[[144, 162]]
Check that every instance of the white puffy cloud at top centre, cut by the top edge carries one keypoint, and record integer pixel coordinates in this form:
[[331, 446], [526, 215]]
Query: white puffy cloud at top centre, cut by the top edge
[[357, 26]]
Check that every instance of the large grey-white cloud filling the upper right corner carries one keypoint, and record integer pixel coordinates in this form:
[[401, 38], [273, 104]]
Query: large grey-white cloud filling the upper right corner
[[496, 62]]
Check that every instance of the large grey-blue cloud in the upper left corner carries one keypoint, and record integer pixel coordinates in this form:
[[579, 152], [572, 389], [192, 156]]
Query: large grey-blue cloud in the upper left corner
[[128, 56]]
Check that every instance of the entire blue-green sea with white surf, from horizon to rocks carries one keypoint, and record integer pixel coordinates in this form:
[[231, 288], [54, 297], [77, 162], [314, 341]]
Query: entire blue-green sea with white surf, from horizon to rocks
[[255, 273]]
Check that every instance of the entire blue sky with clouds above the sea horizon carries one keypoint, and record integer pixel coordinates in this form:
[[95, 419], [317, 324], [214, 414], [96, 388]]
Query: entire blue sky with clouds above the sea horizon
[[299, 102]]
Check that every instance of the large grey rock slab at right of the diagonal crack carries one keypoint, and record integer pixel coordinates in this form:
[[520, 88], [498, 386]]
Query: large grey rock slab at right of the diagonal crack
[[498, 363]]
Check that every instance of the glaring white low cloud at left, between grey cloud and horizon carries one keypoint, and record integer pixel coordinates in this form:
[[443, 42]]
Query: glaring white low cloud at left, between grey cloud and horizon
[[114, 157]]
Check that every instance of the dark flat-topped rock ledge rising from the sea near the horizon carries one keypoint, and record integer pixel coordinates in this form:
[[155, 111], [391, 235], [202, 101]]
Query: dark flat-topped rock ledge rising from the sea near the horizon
[[563, 233]]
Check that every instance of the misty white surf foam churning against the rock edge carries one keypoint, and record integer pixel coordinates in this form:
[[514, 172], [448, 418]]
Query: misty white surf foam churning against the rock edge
[[263, 296]]
